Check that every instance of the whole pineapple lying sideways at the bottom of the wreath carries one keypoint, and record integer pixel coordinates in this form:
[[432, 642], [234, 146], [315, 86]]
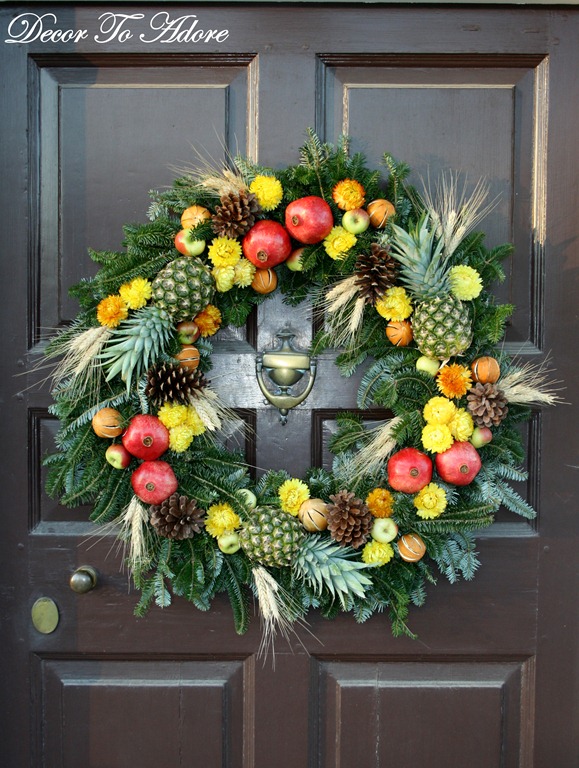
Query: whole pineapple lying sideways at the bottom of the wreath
[[276, 539]]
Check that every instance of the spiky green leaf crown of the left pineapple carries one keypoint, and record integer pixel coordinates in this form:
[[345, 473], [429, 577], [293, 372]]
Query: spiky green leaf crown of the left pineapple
[[137, 343]]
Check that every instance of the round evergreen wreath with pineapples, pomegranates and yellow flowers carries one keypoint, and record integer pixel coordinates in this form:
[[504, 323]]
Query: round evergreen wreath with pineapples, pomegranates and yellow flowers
[[402, 280]]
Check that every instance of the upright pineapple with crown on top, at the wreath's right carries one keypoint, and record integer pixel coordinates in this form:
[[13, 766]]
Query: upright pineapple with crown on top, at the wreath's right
[[440, 322]]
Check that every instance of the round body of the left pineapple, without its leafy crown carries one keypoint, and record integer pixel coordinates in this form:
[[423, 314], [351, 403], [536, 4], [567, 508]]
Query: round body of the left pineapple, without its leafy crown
[[183, 288]]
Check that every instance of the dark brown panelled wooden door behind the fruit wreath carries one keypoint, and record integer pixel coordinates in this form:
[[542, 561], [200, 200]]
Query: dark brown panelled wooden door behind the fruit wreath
[[88, 127]]
